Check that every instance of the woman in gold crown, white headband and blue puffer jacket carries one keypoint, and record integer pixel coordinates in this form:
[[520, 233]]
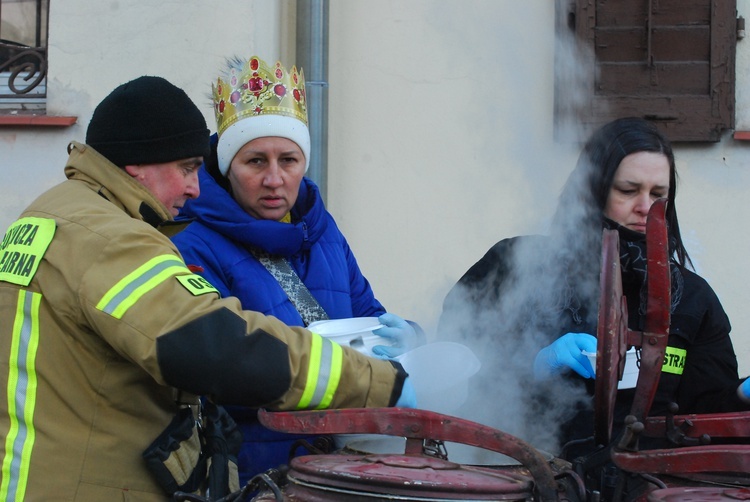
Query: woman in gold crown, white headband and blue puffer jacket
[[262, 233]]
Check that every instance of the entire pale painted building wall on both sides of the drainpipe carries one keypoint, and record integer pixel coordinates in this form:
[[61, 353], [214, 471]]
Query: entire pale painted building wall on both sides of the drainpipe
[[440, 128]]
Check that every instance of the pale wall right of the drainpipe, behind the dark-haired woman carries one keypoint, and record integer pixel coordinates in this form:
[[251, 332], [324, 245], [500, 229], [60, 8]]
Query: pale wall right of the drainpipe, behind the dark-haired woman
[[441, 144]]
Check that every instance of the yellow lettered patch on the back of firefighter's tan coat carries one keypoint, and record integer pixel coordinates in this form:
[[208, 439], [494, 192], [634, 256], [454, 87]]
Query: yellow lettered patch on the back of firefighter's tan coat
[[23, 247]]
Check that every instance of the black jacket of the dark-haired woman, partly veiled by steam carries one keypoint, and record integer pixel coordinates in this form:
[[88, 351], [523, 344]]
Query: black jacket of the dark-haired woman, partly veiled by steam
[[554, 294]]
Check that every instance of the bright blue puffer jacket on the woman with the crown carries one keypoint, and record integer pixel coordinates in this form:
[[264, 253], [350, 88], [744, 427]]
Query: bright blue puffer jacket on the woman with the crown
[[317, 250]]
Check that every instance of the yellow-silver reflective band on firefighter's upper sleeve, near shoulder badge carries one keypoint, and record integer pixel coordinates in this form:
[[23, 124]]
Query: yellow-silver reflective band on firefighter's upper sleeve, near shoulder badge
[[132, 287]]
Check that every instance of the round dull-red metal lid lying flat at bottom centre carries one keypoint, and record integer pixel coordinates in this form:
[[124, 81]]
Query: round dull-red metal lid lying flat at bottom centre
[[409, 475]]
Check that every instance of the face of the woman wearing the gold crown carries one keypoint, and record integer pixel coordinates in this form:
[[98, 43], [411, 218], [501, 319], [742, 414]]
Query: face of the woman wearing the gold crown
[[265, 175]]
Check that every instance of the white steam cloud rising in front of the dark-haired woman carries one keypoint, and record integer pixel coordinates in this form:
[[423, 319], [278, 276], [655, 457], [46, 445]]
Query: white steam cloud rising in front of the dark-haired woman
[[507, 332]]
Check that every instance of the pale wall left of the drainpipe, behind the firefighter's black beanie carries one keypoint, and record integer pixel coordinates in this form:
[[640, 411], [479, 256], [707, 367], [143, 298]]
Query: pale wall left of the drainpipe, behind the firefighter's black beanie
[[95, 46]]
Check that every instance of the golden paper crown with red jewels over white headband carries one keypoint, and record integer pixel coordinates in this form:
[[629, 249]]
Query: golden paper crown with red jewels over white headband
[[255, 89]]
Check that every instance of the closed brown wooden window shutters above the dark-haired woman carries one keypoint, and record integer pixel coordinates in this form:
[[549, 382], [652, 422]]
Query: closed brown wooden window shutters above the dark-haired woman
[[669, 61]]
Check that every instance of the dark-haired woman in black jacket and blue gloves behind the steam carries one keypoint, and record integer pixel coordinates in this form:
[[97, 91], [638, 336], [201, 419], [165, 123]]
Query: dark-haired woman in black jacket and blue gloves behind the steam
[[533, 299]]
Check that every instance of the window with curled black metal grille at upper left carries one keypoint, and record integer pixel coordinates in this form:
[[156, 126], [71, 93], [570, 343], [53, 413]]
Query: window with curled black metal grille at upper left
[[23, 54]]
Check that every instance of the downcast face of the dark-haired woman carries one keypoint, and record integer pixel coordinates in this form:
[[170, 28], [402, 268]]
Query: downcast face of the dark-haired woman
[[640, 179]]
